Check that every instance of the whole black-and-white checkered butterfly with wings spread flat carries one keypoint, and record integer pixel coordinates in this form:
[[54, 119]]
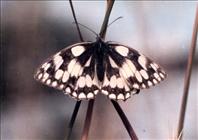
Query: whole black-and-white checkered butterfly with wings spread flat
[[86, 69]]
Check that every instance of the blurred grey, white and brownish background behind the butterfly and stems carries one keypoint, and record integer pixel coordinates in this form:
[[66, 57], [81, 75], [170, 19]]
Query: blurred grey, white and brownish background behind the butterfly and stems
[[33, 31]]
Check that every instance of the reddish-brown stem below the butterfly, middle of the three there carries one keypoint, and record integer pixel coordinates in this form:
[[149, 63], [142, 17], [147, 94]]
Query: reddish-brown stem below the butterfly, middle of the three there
[[88, 120]]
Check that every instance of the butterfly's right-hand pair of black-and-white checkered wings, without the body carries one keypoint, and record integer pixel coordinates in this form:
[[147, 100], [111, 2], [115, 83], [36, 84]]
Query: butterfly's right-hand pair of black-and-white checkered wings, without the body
[[128, 71]]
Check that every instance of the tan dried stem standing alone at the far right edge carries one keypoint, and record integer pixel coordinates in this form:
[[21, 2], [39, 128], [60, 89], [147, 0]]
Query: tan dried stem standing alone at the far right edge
[[187, 78]]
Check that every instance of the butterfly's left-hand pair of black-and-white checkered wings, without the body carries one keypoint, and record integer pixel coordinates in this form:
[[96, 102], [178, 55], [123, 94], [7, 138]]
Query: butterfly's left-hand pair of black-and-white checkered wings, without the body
[[71, 70]]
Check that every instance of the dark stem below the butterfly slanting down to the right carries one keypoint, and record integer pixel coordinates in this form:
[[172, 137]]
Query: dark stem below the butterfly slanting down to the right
[[125, 121]]
